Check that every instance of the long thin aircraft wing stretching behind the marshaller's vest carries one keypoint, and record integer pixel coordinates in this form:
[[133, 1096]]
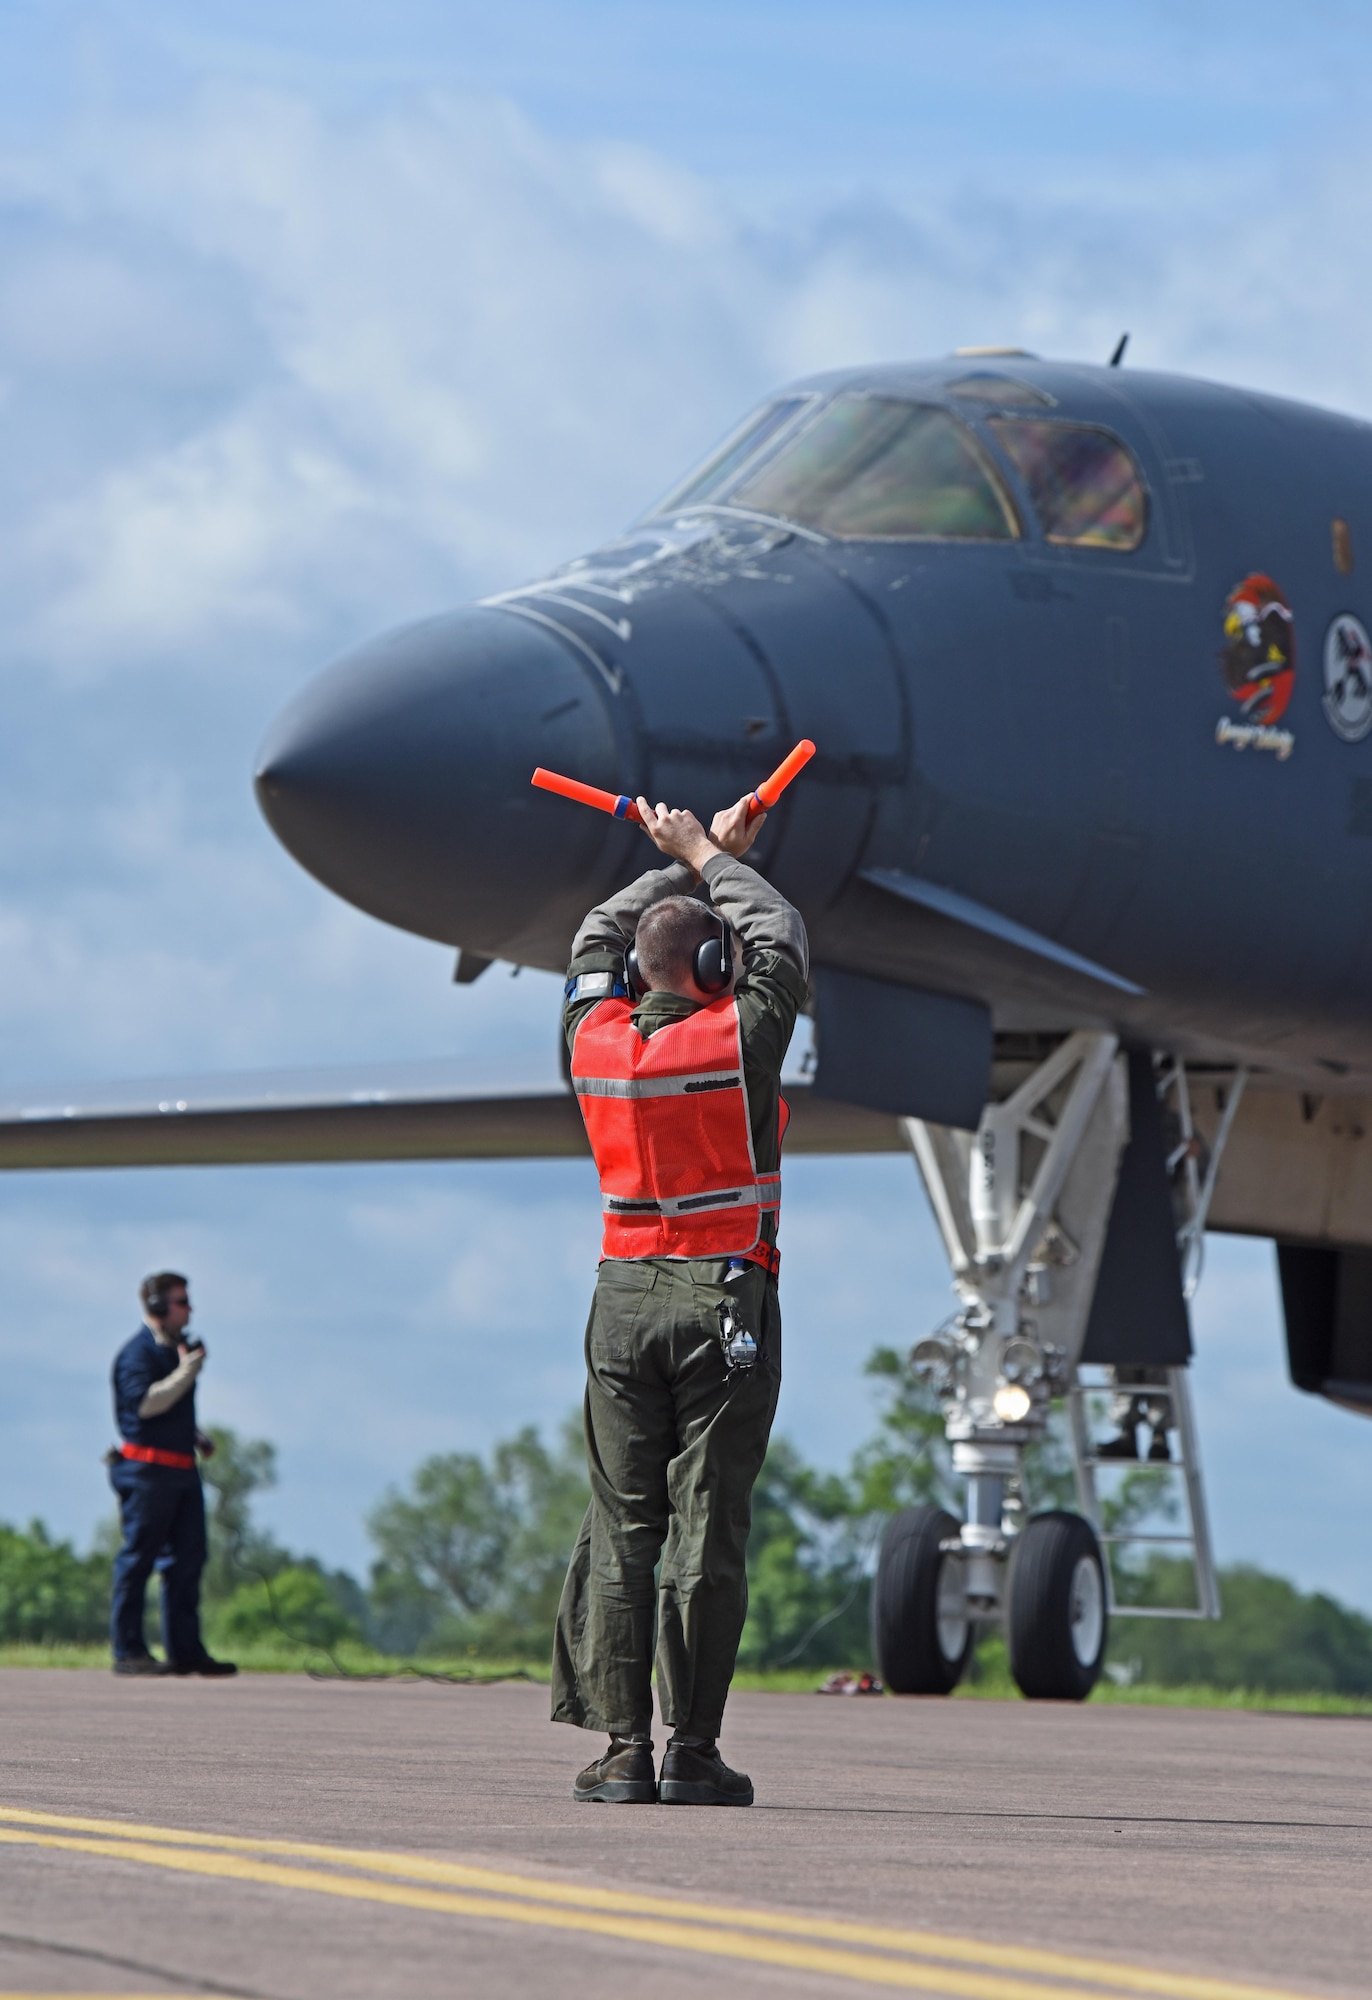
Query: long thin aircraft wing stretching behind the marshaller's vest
[[395, 1111]]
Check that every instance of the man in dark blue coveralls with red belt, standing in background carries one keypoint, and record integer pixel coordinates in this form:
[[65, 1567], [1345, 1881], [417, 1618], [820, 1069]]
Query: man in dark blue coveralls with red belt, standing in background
[[159, 1485]]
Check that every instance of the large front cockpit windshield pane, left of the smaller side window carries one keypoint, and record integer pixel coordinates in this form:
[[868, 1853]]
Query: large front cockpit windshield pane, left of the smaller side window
[[879, 469]]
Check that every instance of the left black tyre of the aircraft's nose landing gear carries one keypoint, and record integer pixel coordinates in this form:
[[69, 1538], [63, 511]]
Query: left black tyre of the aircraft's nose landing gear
[[921, 1631]]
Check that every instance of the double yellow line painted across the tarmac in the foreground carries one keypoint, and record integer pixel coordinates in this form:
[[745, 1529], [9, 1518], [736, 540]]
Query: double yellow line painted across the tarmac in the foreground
[[733, 1933]]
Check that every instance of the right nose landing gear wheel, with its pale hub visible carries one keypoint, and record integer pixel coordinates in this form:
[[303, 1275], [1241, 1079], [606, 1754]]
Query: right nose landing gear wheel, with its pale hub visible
[[1057, 1617]]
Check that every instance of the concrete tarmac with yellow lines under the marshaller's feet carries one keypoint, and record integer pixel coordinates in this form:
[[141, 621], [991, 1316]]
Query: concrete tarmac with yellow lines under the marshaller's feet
[[279, 1837]]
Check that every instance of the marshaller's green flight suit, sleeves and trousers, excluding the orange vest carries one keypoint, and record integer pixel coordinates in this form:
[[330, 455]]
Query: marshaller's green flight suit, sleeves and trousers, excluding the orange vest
[[675, 1441]]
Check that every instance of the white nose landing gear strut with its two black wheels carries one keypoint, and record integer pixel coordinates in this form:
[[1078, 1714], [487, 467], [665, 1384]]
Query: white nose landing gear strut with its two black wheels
[[1023, 1207]]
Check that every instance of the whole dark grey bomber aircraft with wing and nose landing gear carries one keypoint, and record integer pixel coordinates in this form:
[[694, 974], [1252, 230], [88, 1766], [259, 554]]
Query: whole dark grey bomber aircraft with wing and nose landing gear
[[1083, 855]]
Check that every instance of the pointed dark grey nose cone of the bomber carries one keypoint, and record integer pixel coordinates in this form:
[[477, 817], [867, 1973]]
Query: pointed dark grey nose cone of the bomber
[[399, 777]]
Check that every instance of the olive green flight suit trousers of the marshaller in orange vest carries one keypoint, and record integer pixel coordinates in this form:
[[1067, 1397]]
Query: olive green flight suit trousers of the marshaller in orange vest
[[675, 1443]]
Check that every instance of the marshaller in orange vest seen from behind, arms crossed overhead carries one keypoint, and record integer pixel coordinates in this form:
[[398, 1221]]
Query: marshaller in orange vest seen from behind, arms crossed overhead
[[681, 1093]]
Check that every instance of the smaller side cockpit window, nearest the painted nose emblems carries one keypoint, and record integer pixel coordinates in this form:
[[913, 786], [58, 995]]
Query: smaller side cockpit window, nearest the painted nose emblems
[[1085, 485]]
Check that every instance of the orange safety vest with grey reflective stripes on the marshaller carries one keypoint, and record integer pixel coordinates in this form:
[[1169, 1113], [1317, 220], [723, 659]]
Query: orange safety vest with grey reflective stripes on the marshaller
[[667, 1121]]
